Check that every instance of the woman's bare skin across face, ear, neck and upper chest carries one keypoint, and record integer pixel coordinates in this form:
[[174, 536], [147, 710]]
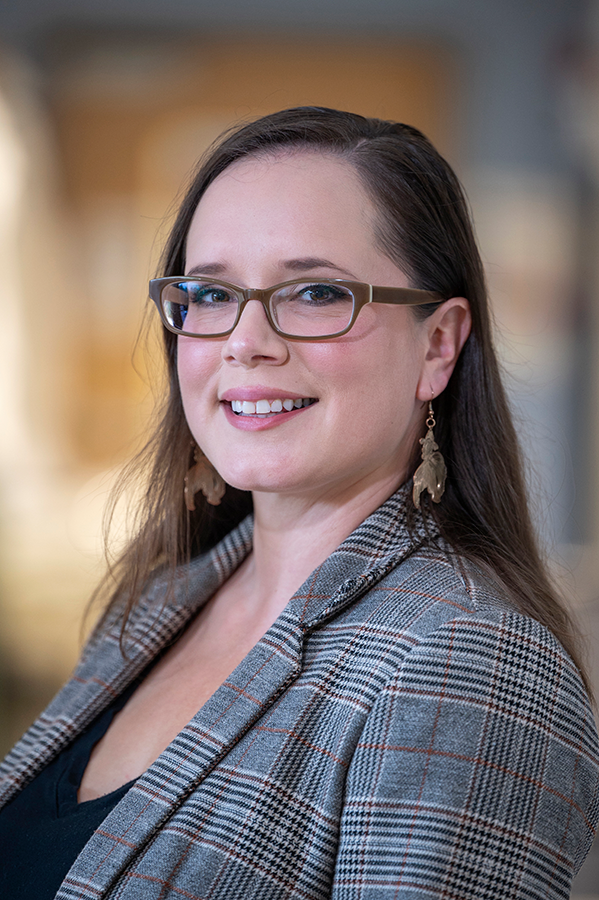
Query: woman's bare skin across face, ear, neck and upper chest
[[315, 474]]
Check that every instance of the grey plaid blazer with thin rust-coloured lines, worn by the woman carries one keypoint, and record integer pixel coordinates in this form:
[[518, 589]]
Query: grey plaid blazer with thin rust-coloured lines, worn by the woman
[[399, 732]]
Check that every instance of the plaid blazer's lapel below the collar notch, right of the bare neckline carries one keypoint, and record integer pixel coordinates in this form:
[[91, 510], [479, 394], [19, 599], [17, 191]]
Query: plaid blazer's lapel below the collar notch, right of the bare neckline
[[270, 667]]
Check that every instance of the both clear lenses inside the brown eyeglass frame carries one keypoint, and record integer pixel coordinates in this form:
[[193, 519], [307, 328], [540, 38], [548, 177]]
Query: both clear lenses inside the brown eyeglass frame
[[308, 309]]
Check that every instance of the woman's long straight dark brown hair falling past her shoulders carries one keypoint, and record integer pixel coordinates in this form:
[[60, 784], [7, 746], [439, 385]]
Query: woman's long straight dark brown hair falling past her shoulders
[[424, 226]]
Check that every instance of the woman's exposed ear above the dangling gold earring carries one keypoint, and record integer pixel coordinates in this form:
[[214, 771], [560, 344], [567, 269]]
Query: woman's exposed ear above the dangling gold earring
[[447, 330]]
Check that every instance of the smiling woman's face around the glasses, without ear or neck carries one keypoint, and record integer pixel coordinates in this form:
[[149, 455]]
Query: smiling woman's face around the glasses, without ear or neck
[[268, 220]]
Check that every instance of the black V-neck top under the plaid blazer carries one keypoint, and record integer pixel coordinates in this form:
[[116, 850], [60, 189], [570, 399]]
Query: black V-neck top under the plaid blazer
[[43, 829]]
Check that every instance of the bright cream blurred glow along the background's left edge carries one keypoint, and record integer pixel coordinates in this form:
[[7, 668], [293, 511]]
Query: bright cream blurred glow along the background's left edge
[[43, 583]]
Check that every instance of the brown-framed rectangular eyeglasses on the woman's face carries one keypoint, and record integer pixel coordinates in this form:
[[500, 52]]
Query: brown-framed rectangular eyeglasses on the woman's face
[[301, 310]]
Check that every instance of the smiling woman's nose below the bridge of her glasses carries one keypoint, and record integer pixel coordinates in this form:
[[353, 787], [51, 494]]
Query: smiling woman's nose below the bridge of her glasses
[[253, 342]]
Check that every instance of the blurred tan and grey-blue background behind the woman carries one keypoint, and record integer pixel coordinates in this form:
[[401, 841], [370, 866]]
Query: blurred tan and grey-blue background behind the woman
[[105, 106]]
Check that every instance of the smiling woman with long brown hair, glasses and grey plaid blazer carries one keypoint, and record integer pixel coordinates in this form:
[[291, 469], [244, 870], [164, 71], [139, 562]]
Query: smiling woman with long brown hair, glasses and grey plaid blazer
[[378, 693]]
